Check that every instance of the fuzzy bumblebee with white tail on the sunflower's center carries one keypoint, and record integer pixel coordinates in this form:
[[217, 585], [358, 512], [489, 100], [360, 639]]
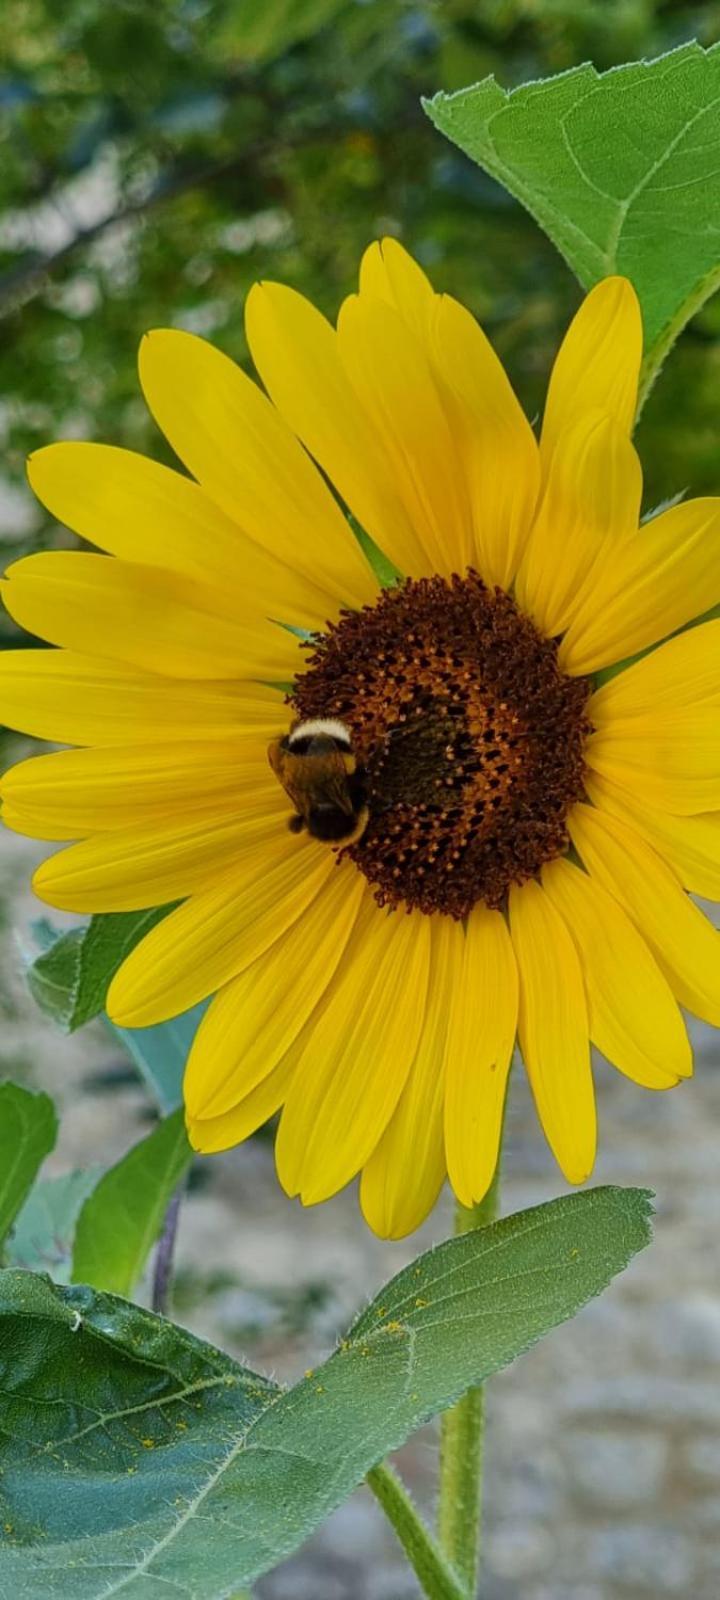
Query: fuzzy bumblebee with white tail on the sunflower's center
[[321, 775]]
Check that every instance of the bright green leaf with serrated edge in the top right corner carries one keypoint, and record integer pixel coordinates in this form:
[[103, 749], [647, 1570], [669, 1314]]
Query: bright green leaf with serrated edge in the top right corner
[[620, 169]]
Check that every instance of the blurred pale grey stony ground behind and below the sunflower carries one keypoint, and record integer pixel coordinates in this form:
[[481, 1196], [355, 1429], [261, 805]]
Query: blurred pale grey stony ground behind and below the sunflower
[[604, 1447]]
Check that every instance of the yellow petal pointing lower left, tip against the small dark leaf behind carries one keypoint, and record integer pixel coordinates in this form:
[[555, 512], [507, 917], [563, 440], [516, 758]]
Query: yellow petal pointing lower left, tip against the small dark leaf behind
[[222, 930]]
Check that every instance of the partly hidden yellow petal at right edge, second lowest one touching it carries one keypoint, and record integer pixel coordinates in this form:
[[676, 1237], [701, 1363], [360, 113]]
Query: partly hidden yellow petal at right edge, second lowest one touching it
[[689, 844]]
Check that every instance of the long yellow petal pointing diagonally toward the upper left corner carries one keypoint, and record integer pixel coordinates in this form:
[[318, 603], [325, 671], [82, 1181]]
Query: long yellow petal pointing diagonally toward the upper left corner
[[239, 449]]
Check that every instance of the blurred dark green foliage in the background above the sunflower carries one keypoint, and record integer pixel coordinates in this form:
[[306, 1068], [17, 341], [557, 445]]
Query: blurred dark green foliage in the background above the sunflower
[[159, 158]]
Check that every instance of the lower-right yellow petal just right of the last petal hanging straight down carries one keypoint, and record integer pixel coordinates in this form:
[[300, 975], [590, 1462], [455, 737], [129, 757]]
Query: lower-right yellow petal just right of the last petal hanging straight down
[[634, 1018]]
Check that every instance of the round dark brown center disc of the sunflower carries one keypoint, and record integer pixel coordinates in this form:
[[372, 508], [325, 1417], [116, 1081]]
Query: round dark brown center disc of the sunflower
[[470, 735]]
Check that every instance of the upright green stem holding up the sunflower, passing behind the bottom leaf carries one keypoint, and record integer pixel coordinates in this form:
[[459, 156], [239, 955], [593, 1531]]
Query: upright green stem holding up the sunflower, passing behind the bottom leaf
[[463, 1446]]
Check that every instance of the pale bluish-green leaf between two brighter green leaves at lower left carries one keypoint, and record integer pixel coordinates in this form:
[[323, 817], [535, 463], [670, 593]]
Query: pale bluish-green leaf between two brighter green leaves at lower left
[[46, 1230]]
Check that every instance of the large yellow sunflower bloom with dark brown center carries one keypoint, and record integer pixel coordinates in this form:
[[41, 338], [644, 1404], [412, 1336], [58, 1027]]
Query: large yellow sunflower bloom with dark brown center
[[532, 822]]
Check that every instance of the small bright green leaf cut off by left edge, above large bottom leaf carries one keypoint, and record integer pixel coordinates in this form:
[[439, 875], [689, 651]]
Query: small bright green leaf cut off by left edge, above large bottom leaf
[[28, 1134]]
